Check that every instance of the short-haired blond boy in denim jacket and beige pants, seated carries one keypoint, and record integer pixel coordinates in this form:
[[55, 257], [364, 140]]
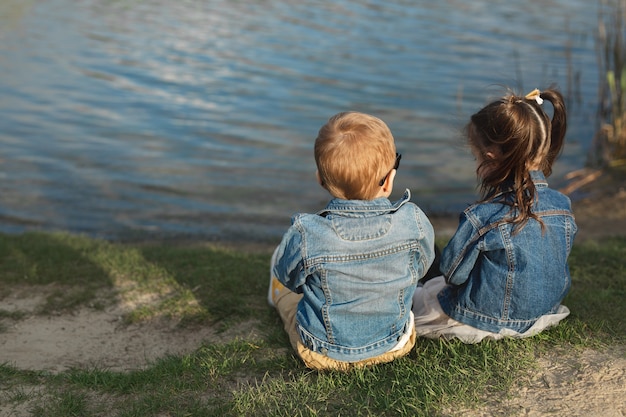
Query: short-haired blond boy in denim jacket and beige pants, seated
[[343, 279]]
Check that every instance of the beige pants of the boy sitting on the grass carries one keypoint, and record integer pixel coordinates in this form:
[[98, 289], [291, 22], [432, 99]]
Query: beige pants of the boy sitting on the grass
[[286, 303]]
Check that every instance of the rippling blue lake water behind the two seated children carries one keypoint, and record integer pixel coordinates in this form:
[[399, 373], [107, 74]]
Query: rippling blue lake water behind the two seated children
[[136, 119]]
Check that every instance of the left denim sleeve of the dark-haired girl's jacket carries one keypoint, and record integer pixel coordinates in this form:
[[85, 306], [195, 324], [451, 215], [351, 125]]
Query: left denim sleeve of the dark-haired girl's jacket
[[461, 252]]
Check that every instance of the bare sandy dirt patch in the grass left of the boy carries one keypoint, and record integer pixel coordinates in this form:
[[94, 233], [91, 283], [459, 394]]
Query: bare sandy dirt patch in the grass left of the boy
[[98, 338]]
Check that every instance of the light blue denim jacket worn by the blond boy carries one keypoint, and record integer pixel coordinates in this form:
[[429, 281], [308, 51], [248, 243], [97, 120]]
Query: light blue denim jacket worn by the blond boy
[[357, 263]]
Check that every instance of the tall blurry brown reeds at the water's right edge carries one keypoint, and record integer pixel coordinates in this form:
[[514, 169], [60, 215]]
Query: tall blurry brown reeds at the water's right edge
[[610, 141]]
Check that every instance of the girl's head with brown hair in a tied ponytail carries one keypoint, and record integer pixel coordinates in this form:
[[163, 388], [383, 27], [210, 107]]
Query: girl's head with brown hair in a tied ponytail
[[511, 137]]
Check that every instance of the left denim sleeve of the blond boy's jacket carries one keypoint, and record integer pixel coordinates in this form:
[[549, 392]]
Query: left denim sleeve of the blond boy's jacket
[[289, 266]]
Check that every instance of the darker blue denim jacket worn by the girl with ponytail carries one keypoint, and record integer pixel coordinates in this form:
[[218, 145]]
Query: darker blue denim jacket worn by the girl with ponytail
[[501, 280]]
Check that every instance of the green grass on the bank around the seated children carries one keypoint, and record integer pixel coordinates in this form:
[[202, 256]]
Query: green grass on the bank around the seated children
[[261, 376]]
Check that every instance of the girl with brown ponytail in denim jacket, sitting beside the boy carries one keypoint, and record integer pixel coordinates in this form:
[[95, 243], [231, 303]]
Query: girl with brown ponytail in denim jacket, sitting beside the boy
[[505, 269]]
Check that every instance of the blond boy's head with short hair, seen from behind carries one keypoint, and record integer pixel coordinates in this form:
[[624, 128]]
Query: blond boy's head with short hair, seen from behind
[[353, 153]]
